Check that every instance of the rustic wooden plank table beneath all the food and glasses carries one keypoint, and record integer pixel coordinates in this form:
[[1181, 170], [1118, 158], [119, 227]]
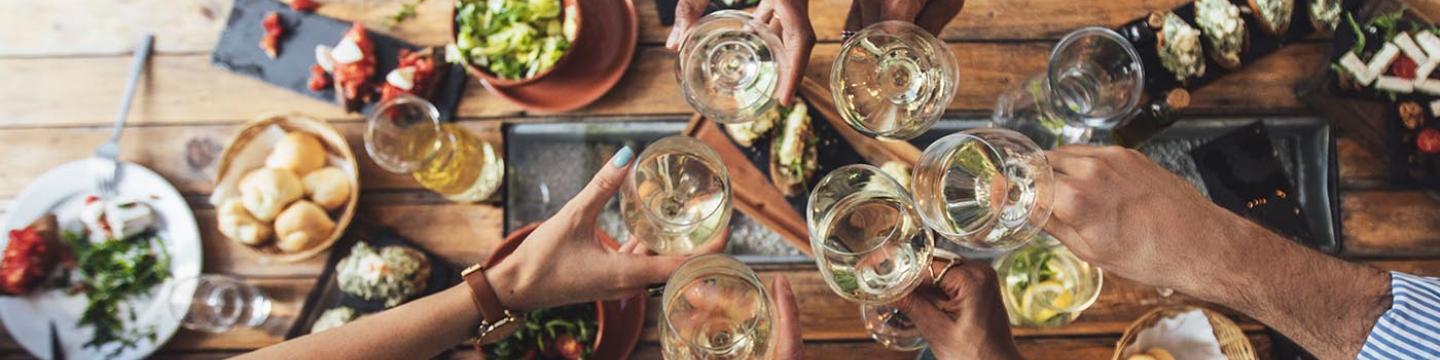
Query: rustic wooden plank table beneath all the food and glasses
[[64, 64]]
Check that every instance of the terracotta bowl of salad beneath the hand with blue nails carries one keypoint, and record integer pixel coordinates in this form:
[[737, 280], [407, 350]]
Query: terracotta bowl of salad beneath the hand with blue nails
[[618, 322]]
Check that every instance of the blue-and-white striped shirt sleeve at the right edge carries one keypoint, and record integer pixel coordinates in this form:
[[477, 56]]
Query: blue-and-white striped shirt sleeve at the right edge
[[1410, 329]]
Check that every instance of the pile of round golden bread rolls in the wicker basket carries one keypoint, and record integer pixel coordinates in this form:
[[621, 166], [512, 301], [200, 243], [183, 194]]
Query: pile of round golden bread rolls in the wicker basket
[[290, 199]]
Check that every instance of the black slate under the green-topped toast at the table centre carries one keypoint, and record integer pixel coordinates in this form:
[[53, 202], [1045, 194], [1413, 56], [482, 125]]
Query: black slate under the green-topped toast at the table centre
[[833, 152]]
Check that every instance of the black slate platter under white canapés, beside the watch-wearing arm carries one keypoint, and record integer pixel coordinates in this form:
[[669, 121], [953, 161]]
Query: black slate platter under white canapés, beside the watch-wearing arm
[[326, 294]]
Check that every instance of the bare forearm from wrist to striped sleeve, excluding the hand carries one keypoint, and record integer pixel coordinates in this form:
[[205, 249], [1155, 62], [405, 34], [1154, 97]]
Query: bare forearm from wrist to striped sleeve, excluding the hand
[[1326, 305]]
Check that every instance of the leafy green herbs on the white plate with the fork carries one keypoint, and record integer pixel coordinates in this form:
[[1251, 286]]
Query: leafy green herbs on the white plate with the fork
[[109, 274]]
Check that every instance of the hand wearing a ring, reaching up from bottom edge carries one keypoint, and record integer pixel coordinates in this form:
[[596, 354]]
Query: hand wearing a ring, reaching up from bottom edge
[[963, 316]]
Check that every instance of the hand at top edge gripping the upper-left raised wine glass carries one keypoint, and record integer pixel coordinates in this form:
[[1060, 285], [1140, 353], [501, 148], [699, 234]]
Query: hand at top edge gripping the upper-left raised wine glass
[[790, 21]]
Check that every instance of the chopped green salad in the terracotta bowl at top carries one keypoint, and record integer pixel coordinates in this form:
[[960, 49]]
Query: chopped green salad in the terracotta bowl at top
[[513, 40]]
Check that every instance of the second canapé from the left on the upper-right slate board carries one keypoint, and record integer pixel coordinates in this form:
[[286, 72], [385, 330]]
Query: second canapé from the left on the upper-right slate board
[[1225, 31]]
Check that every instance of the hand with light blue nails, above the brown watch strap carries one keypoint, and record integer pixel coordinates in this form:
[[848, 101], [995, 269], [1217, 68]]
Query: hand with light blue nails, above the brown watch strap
[[562, 261]]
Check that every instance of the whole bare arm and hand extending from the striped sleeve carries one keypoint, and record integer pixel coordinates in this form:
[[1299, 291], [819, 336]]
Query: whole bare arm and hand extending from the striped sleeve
[[1120, 211]]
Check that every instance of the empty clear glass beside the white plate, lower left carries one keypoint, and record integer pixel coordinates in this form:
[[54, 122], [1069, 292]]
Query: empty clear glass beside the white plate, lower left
[[218, 303]]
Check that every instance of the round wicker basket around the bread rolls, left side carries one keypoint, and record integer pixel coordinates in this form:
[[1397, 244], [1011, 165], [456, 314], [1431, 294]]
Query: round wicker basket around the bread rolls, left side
[[233, 166]]
